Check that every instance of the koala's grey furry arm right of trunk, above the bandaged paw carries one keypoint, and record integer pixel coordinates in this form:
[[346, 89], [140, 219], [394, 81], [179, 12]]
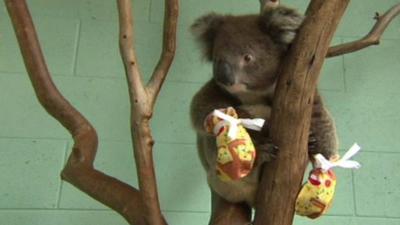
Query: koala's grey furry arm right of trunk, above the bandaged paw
[[323, 131]]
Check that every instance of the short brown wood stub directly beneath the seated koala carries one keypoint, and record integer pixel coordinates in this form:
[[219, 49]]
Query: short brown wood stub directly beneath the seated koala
[[224, 212]]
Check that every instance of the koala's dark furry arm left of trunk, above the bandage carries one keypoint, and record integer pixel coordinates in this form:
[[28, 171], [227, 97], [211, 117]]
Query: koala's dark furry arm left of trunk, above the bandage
[[209, 98]]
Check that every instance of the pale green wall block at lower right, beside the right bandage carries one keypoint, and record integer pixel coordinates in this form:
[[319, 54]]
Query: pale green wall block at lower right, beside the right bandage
[[377, 184]]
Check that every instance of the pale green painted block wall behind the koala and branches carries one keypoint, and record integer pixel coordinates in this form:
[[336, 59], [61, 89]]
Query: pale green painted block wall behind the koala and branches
[[79, 38]]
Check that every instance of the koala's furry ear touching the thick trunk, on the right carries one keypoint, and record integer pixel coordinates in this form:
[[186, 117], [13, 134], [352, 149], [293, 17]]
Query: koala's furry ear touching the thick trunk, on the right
[[282, 23]]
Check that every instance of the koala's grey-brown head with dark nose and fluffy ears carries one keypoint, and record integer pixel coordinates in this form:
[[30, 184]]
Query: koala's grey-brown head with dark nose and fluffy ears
[[246, 51]]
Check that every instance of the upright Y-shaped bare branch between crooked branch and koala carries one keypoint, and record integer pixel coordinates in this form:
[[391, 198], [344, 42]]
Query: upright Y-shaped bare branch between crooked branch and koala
[[142, 102]]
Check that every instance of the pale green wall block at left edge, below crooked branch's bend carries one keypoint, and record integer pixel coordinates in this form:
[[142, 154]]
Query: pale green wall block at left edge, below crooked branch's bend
[[30, 177]]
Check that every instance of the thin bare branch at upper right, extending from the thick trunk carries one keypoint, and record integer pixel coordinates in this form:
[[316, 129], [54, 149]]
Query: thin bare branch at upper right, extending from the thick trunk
[[372, 38]]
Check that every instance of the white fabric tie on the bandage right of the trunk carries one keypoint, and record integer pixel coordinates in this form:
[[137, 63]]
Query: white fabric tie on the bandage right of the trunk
[[344, 162]]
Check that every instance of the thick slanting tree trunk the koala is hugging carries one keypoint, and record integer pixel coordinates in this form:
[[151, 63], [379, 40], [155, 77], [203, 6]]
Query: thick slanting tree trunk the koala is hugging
[[291, 114]]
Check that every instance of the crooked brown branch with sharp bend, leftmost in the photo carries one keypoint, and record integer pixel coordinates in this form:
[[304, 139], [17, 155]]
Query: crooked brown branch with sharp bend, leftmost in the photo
[[79, 169]]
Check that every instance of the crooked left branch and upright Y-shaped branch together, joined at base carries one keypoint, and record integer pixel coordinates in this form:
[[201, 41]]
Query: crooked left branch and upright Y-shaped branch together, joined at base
[[136, 207]]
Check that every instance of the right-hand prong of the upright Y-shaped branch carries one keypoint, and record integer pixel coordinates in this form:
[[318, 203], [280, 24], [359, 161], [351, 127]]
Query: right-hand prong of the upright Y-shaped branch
[[168, 50]]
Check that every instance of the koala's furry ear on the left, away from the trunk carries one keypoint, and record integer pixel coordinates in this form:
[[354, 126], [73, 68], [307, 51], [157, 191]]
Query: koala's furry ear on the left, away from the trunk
[[205, 29]]
